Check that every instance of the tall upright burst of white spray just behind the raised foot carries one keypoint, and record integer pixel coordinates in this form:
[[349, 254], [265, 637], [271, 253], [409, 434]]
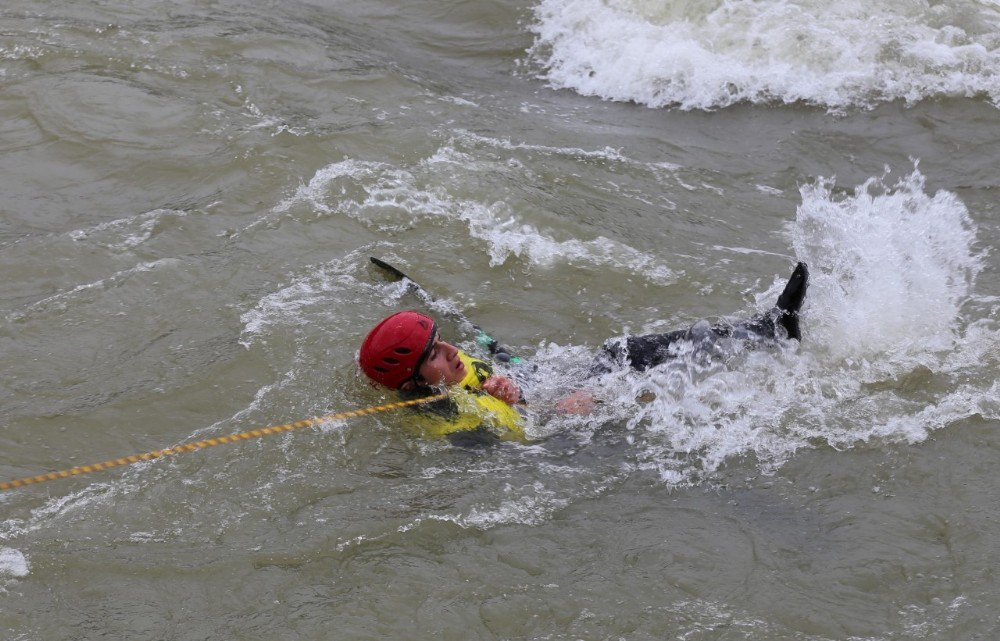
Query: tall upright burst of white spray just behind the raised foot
[[891, 267]]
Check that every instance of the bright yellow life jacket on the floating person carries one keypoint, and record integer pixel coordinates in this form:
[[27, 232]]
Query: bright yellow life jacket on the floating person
[[469, 409]]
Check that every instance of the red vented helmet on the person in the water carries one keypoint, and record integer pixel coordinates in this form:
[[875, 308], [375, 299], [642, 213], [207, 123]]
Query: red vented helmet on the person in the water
[[393, 352]]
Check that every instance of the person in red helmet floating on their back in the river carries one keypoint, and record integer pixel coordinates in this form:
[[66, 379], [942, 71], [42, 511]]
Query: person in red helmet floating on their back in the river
[[405, 352]]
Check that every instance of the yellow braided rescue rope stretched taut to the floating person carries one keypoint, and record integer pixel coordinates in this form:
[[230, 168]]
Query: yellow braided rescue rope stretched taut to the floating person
[[209, 442]]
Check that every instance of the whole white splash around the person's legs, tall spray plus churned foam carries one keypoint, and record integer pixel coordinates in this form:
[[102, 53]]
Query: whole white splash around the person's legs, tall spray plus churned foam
[[887, 355]]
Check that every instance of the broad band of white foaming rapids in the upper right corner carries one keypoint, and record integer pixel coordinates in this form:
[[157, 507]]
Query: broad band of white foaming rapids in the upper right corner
[[707, 54]]
